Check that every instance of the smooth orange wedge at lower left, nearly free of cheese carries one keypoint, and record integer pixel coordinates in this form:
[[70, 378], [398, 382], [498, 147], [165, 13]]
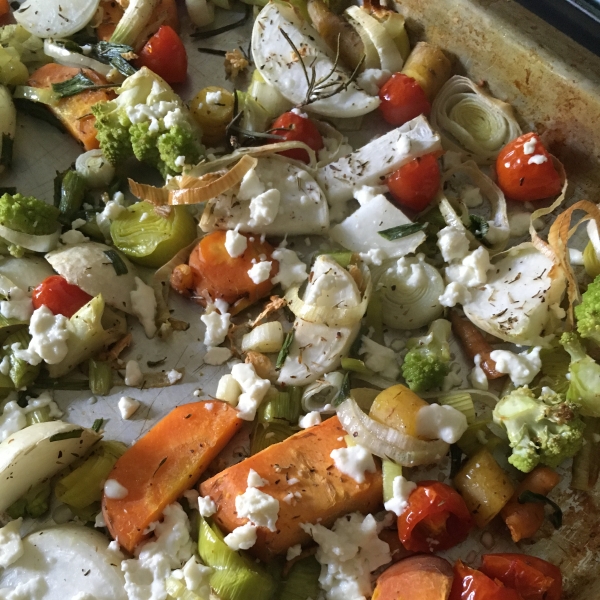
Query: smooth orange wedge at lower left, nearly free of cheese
[[164, 463]]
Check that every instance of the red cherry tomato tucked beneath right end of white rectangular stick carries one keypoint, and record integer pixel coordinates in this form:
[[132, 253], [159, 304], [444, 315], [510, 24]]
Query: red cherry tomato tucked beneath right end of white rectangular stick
[[415, 184]]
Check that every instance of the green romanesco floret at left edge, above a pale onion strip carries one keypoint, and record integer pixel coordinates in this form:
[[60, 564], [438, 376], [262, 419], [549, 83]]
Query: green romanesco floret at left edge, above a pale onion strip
[[28, 215]]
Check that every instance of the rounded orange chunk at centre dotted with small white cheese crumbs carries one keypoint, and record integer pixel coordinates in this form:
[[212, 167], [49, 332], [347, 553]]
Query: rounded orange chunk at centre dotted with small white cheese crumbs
[[213, 273]]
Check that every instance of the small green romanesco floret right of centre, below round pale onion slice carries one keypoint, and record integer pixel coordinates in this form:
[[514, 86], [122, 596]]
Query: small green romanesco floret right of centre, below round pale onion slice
[[428, 359]]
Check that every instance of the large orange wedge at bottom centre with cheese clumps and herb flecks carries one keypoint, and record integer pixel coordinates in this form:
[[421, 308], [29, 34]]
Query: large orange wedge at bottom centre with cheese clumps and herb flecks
[[324, 493]]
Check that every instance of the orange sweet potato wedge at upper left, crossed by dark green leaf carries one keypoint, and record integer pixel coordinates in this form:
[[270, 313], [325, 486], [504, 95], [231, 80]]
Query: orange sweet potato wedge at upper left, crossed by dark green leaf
[[74, 112]]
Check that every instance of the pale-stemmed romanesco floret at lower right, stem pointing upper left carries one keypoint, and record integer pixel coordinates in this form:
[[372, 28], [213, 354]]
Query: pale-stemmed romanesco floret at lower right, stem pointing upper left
[[543, 430]]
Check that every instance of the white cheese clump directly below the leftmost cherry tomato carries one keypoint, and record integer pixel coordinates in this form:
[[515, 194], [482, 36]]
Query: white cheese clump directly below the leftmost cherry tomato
[[49, 335]]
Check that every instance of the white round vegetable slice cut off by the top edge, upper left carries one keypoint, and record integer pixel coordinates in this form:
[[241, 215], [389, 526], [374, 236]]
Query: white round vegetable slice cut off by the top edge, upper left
[[55, 18]]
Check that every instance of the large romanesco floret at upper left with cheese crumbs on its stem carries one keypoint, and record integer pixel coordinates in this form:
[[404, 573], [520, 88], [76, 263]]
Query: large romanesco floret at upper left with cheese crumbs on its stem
[[149, 121]]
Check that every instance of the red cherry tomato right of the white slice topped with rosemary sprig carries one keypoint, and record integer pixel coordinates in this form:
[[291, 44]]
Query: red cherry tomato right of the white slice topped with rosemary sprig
[[402, 99]]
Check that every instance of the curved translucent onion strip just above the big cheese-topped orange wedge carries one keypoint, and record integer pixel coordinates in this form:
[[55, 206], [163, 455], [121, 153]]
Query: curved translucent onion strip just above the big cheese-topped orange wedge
[[385, 442]]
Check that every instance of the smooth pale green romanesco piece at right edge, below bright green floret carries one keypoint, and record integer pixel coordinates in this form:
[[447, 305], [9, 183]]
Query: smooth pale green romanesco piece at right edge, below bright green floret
[[584, 376]]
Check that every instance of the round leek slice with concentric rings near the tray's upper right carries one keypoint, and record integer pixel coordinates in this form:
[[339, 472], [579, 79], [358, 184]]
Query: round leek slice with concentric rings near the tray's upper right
[[472, 121]]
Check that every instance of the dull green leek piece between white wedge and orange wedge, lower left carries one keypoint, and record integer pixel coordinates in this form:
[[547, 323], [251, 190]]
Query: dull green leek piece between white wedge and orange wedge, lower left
[[83, 485]]
